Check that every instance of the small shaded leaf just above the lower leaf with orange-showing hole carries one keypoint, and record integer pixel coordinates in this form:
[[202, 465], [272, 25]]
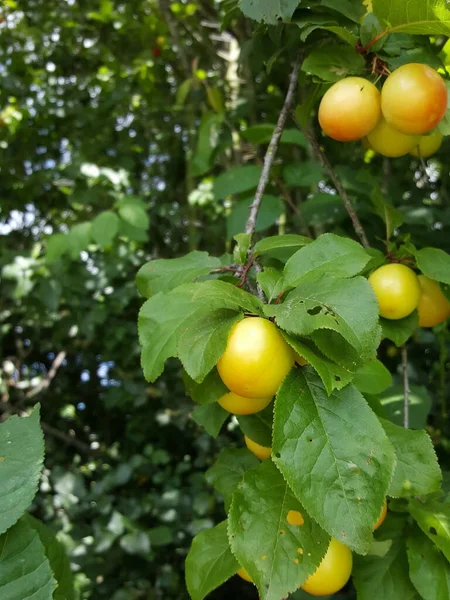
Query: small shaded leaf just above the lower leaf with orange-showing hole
[[228, 471]]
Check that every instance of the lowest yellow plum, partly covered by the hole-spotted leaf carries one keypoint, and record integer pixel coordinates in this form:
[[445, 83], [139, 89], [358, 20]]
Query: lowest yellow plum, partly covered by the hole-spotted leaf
[[333, 572]]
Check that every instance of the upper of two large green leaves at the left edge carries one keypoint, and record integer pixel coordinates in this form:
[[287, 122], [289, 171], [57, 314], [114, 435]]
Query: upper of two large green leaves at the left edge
[[21, 458]]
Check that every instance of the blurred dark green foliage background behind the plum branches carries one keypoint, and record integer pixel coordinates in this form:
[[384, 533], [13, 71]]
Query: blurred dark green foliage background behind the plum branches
[[136, 130]]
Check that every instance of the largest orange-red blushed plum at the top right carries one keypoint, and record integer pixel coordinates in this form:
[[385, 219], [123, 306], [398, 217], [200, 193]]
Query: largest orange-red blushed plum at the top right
[[414, 98]]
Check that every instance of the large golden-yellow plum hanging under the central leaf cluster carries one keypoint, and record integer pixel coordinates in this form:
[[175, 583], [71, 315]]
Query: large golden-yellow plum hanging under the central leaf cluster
[[256, 359]]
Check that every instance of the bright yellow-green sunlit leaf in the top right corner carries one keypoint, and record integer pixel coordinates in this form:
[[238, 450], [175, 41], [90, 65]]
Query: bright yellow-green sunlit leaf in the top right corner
[[424, 18]]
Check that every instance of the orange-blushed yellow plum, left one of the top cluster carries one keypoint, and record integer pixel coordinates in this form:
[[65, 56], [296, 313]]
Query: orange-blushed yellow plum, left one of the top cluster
[[350, 109]]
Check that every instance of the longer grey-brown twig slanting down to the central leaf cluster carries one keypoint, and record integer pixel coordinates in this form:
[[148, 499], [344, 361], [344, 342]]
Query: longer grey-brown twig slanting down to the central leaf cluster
[[272, 150]]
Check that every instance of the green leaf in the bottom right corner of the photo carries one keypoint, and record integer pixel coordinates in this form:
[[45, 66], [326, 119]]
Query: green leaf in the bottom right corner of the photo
[[428, 569]]
